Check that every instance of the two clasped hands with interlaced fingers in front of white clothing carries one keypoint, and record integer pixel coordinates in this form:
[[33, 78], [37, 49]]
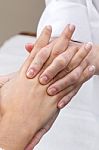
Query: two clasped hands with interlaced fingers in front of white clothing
[[22, 106]]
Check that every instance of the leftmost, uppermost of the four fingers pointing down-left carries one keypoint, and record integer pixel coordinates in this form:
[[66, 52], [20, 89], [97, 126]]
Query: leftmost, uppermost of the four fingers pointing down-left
[[39, 60]]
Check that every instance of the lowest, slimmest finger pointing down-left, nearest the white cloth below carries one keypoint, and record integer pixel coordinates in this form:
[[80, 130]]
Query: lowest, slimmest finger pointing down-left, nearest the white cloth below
[[67, 98]]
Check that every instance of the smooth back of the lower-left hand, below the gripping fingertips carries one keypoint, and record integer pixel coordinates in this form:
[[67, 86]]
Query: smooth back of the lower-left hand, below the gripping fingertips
[[23, 95]]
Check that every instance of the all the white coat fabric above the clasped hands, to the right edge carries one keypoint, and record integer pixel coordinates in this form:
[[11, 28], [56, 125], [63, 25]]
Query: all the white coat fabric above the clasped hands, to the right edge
[[83, 13]]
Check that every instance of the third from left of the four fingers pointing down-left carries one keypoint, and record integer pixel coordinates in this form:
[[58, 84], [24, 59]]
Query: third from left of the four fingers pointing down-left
[[65, 82]]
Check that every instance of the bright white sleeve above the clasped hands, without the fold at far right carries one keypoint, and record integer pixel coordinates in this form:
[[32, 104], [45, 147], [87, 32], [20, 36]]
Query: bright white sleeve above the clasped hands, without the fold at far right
[[58, 13]]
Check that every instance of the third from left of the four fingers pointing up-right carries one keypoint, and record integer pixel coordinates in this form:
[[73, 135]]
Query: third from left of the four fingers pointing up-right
[[80, 56]]
